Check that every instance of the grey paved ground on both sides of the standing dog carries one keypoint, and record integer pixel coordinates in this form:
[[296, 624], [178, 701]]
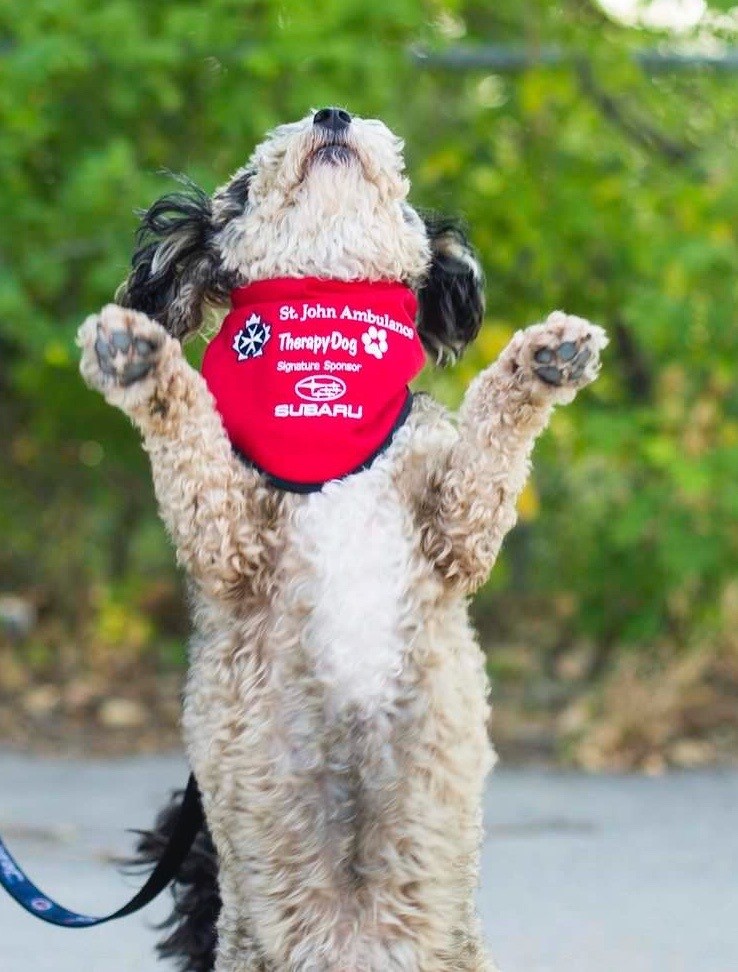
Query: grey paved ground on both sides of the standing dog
[[581, 874]]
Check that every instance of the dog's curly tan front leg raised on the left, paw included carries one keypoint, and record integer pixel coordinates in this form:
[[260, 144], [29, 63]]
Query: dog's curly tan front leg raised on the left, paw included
[[222, 521]]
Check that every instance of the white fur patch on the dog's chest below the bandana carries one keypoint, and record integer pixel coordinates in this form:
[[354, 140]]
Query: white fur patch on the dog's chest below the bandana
[[353, 544]]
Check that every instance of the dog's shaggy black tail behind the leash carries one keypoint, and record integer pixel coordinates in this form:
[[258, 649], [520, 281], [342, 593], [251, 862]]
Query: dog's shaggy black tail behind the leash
[[191, 927]]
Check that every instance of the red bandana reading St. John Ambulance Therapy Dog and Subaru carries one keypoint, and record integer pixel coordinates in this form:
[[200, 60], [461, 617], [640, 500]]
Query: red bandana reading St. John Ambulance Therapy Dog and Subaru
[[310, 376]]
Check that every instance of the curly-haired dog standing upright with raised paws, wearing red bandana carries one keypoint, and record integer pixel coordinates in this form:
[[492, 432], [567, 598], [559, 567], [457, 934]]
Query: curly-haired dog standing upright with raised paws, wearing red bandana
[[336, 706]]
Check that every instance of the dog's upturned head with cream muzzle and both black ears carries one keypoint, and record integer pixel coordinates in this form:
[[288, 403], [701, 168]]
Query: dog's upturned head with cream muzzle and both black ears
[[325, 197]]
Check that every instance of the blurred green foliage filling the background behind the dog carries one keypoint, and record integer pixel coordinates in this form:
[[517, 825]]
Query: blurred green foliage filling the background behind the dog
[[588, 185]]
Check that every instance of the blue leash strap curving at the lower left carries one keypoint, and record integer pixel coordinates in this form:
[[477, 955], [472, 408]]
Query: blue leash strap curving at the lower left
[[28, 896]]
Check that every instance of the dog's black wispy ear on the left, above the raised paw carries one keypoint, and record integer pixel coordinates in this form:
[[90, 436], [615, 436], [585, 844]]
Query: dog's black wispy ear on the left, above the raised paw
[[176, 266]]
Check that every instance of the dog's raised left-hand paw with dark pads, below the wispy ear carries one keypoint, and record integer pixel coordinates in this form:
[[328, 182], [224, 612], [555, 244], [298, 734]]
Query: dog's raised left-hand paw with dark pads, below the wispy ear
[[120, 347]]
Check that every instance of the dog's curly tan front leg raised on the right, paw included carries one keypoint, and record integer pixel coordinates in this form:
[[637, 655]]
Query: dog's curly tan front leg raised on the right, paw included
[[470, 505]]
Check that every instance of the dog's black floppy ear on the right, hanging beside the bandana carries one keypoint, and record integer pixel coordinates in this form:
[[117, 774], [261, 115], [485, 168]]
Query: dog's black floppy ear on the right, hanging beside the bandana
[[451, 298]]
